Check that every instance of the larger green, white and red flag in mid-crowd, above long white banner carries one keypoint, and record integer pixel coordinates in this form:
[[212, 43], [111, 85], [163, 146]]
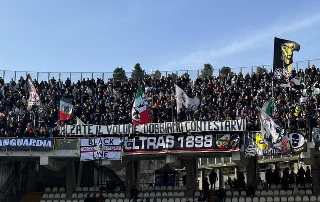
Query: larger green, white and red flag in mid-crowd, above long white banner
[[141, 112]]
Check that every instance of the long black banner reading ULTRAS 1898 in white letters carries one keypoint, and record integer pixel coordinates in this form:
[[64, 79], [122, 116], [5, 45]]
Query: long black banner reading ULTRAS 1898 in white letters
[[181, 144]]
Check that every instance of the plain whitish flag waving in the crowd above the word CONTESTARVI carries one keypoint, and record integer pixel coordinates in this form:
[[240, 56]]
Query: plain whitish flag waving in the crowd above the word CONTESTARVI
[[184, 102]]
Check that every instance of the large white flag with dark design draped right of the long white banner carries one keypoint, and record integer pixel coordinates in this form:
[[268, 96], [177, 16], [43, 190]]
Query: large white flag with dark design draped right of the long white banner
[[272, 133]]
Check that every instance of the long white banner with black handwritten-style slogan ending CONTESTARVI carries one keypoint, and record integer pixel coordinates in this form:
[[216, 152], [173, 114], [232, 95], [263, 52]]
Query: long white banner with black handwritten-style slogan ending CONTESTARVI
[[154, 128]]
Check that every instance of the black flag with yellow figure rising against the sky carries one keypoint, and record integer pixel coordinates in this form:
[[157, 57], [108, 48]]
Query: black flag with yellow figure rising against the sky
[[283, 58]]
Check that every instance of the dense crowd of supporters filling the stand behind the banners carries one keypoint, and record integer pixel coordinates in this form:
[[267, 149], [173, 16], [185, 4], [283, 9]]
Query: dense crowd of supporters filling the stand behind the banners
[[224, 97]]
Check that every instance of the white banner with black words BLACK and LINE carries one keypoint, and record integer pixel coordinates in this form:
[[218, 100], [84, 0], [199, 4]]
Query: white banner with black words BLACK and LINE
[[100, 148]]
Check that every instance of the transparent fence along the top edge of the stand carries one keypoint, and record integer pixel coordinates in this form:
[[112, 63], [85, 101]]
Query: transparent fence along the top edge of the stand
[[7, 75]]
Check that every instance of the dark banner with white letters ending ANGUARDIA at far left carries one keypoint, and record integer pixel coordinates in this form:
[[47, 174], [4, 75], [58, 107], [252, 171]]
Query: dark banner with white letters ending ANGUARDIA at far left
[[37, 144]]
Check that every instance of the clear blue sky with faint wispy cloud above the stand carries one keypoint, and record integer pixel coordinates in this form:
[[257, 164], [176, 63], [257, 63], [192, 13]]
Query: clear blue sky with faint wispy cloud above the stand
[[168, 35]]
